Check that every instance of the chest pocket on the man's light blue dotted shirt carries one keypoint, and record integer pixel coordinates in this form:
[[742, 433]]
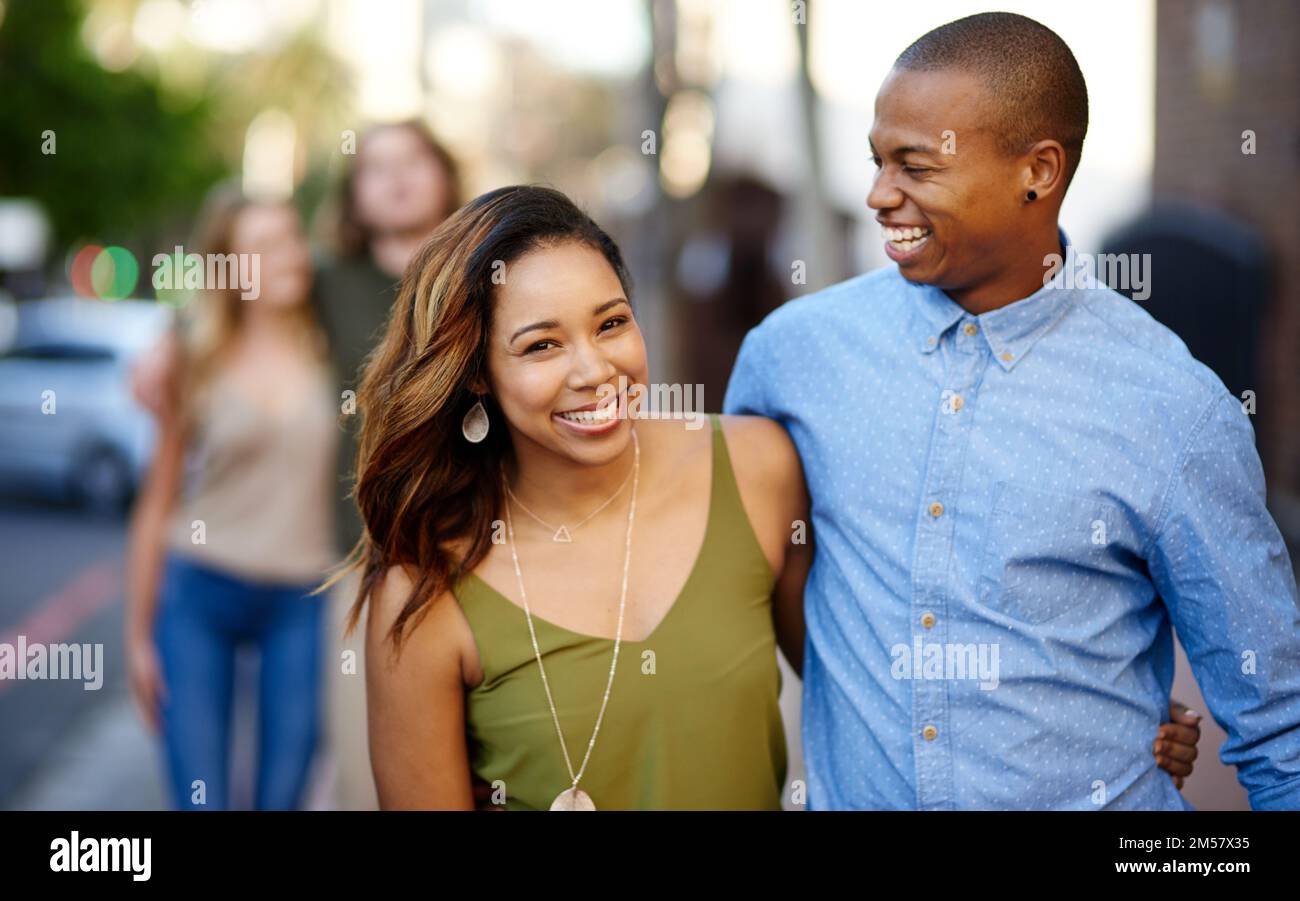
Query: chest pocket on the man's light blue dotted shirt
[[1043, 552]]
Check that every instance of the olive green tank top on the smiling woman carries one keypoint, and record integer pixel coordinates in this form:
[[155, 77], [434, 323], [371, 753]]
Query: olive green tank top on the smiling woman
[[694, 720]]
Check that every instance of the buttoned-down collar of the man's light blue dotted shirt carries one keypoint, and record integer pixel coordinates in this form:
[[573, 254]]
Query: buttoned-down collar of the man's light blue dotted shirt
[[1011, 331]]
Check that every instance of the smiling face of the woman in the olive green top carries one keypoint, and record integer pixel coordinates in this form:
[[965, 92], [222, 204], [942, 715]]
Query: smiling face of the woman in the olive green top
[[562, 331]]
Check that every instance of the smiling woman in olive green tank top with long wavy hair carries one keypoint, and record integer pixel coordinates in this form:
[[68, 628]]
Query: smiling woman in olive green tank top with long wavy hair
[[506, 575]]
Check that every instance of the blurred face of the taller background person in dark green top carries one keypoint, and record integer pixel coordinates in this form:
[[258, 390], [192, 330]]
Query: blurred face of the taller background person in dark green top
[[400, 185]]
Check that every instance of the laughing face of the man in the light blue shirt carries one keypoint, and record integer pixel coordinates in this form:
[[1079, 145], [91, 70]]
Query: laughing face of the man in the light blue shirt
[[941, 171]]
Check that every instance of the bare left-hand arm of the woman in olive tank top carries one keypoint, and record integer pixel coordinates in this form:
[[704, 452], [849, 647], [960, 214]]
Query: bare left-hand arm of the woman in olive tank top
[[417, 703]]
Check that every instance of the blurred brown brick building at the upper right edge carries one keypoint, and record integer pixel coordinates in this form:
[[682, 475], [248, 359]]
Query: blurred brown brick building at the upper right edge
[[1225, 68]]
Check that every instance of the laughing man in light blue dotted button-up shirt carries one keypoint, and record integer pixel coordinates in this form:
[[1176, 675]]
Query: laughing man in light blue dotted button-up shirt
[[999, 464]]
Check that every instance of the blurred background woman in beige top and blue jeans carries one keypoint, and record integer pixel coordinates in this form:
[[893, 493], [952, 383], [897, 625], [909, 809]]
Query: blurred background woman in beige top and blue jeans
[[235, 526]]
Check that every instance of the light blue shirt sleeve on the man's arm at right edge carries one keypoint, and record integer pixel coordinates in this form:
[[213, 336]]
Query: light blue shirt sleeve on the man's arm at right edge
[[1224, 573]]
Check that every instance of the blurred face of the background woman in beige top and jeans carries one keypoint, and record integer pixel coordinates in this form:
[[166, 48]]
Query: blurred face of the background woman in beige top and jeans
[[284, 266]]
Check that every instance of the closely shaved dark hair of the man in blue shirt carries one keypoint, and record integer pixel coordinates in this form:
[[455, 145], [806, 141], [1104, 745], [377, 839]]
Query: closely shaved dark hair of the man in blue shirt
[[1034, 81]]
